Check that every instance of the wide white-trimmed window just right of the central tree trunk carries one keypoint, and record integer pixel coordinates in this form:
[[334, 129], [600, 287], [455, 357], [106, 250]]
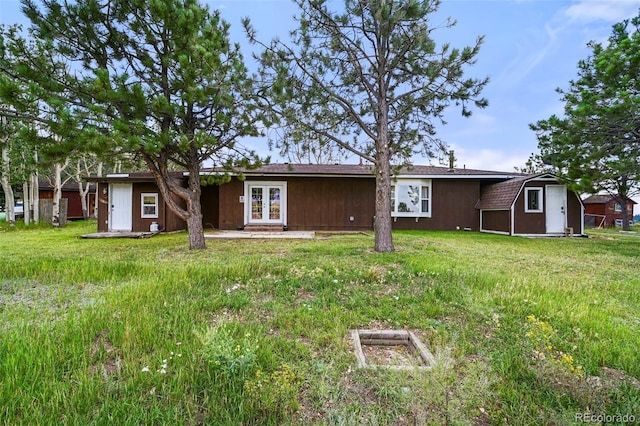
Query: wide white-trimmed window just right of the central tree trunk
[[411, 198]]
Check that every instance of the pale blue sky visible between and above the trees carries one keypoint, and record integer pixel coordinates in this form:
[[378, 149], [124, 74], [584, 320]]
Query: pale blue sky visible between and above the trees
[[531, 47]]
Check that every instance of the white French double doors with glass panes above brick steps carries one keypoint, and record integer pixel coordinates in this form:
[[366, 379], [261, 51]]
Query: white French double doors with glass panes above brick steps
[[265, 202]]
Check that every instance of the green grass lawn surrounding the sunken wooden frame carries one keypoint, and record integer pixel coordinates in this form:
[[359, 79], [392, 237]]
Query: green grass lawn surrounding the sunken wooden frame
[[524, 331]]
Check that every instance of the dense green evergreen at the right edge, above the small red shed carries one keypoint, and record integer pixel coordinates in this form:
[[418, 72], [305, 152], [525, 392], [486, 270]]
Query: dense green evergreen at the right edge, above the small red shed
[[595, 146]]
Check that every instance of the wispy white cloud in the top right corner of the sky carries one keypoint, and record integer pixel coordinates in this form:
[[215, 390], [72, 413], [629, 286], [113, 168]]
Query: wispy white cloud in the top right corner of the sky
[[586, 11]]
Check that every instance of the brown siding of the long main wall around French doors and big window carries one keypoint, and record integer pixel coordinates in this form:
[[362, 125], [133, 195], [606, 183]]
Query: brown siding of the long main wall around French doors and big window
[[328, 203]]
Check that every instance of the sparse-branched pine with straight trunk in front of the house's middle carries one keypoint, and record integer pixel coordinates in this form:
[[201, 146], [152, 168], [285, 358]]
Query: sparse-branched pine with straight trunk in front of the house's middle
[[372, 80]]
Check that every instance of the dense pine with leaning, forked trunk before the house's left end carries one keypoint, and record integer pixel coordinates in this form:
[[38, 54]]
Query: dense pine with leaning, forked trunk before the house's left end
[[157, 78]]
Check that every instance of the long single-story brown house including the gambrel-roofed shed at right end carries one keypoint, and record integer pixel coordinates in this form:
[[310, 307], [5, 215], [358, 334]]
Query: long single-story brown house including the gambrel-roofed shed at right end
[[342, 198]]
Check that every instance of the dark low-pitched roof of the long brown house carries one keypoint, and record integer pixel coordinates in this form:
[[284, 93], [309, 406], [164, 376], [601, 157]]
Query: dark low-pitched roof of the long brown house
[[362, 170]]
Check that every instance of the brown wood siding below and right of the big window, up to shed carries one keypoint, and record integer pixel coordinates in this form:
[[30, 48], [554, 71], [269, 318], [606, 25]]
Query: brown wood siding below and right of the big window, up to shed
[[452, 207]]
